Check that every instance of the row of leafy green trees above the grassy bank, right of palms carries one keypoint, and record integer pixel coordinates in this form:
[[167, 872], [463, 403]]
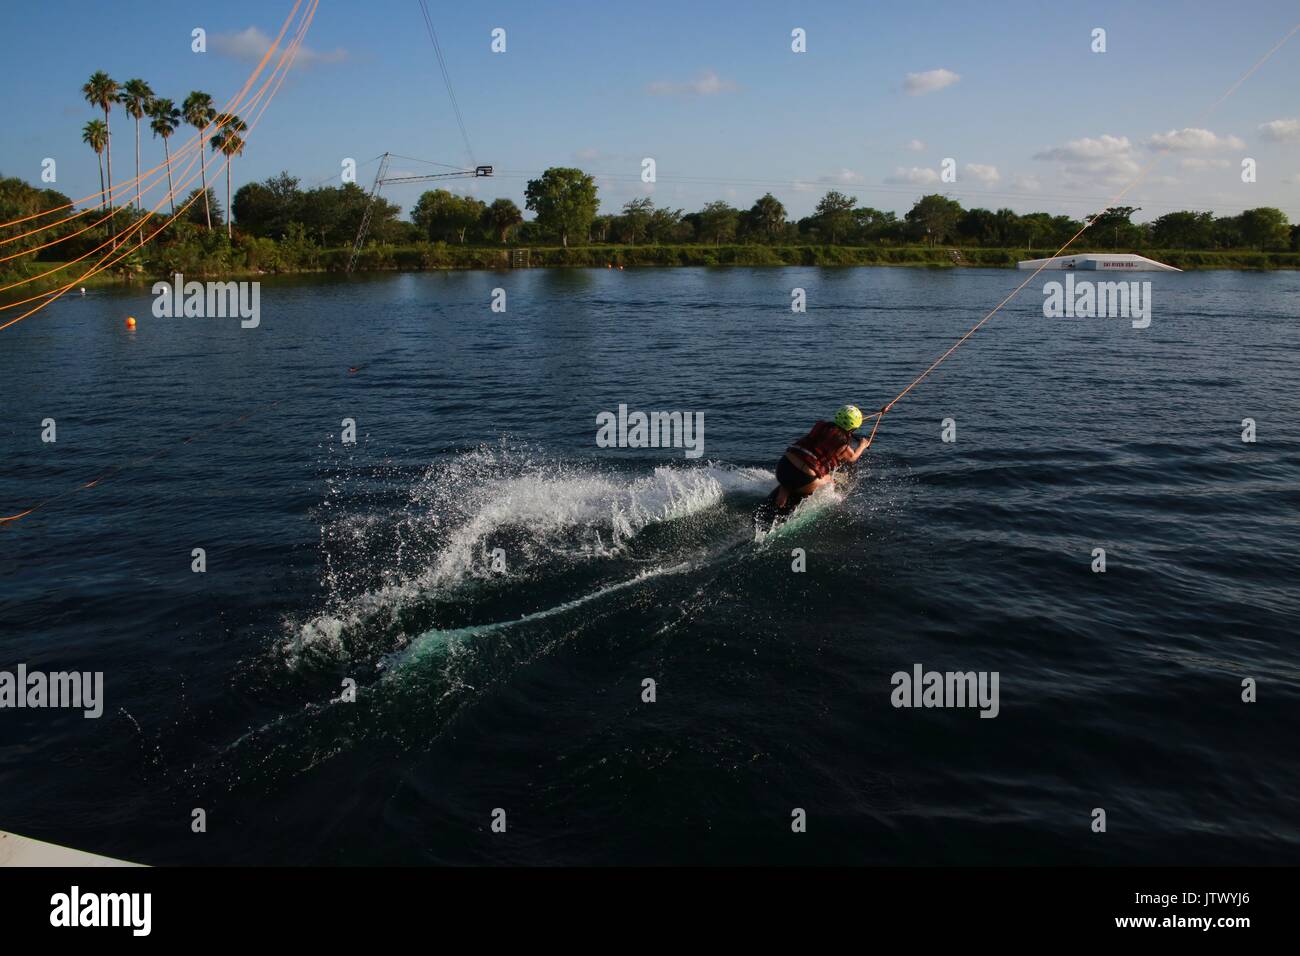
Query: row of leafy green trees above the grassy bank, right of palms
[[566, 207]]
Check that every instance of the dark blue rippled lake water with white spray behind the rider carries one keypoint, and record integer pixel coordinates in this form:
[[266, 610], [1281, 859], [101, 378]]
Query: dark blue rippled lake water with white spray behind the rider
[[479, 690]]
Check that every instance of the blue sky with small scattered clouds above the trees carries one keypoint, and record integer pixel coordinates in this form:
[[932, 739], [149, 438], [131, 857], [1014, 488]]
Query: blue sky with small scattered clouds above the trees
[[713, 93]]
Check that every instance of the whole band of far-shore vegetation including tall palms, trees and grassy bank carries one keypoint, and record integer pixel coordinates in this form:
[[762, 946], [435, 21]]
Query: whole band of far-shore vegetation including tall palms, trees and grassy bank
[[275, 227]]
